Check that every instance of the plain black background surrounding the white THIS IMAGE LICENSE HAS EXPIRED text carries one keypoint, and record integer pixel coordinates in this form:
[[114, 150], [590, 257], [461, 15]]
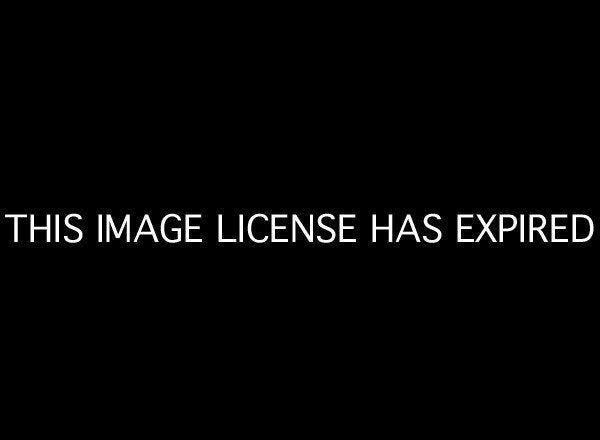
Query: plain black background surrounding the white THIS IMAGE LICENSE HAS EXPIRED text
[[368, 113]]
